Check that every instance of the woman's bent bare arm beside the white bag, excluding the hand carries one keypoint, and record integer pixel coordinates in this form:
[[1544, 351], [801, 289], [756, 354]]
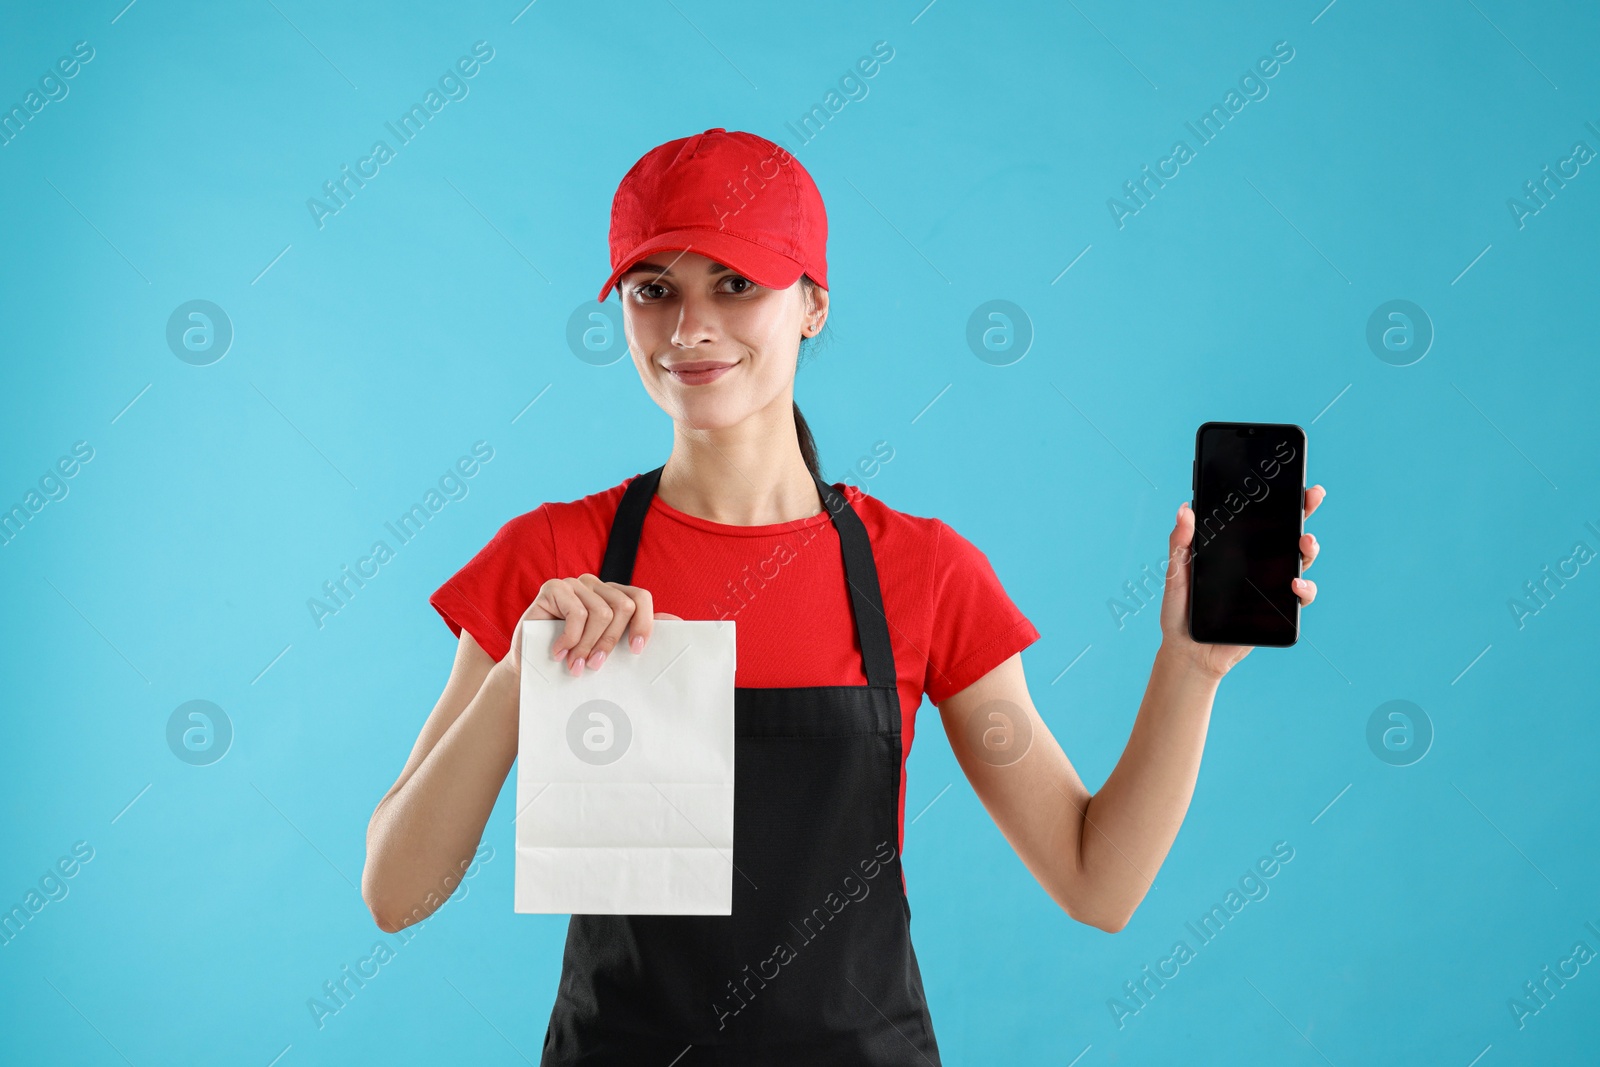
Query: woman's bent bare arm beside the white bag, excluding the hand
[[430, 823]]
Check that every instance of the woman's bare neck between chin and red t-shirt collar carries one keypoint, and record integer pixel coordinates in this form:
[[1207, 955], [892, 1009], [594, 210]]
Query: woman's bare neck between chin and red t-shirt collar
[[750, 474]]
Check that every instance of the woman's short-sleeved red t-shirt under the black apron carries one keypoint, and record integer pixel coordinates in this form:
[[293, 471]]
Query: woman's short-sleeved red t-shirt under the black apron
[[951, 621]]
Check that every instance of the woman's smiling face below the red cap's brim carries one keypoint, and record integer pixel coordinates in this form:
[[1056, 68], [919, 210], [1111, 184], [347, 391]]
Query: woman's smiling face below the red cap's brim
[[711, 346]]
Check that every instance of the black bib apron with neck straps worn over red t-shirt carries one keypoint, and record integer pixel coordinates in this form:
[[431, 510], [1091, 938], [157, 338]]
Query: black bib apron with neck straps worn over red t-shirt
[[815, 965]]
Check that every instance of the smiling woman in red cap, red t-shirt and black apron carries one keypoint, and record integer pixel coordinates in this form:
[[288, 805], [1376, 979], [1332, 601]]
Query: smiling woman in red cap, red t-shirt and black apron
[[849, 613]]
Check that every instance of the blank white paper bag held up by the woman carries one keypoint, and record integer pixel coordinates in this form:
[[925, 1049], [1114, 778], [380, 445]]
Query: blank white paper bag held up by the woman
[[625, 777]]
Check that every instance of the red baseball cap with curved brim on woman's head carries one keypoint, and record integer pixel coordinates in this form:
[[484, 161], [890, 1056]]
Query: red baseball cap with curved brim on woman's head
[[732, 198]]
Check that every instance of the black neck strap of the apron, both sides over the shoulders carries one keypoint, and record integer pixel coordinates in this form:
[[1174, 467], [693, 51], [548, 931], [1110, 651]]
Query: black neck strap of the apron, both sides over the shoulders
[[862, 572]]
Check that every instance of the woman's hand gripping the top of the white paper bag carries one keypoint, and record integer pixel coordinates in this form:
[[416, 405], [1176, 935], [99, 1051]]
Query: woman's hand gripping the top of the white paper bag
[[598, 615]]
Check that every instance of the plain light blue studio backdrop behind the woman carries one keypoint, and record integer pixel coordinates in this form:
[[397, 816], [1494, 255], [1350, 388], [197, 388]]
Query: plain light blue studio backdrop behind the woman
[[433, 310]]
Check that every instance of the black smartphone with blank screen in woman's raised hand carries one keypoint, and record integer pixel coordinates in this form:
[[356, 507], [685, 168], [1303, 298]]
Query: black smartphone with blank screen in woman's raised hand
[[1250, 514]]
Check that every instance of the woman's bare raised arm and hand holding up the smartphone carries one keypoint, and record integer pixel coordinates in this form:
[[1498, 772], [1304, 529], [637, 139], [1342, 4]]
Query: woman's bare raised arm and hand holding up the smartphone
[[1098, 855]]
